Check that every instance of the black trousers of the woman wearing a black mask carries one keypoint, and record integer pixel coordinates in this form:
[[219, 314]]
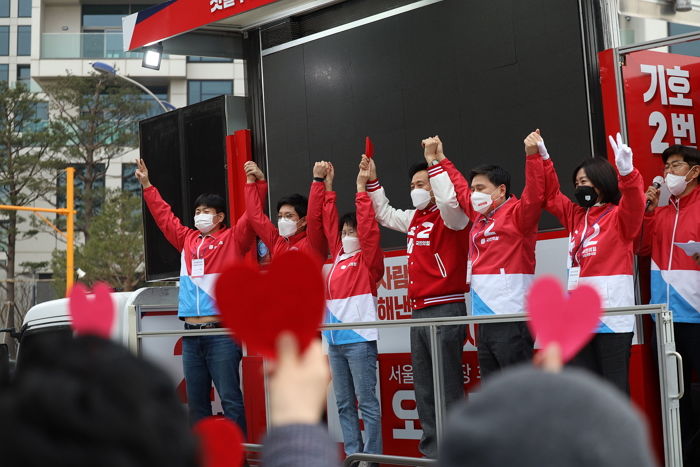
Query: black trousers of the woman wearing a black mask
[[608, 356]]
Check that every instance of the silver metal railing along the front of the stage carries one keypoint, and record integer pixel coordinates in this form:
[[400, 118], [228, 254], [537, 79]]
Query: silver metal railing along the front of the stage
[[670, 364]]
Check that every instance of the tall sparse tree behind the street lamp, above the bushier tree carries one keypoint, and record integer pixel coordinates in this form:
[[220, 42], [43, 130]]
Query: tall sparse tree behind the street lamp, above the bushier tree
[[97, 116]]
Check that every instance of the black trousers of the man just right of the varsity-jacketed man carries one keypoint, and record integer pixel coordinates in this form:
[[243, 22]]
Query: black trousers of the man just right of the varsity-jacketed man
[[502, 344]]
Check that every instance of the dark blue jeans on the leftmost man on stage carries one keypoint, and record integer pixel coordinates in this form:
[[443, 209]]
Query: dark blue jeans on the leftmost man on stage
[[213, 358]]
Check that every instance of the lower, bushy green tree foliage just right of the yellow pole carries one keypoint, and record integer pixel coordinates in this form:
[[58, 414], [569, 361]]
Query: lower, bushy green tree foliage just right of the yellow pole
[[113, 252]]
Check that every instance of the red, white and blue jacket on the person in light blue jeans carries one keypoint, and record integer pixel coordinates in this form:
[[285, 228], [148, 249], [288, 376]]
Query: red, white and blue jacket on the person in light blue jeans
[[351, 284]]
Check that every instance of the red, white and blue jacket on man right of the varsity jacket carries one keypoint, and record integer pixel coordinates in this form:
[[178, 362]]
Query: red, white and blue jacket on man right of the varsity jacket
[[502, 242]]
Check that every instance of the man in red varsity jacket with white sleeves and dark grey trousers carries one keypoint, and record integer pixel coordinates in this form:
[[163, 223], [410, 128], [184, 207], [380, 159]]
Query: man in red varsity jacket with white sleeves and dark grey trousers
[[437, 268]]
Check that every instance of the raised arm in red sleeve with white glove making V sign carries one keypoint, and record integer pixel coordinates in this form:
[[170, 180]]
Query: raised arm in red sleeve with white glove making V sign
[[633, 200]]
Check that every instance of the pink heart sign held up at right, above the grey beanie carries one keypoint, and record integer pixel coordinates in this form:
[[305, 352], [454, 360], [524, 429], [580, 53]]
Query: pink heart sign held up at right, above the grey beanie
[[567, 319]]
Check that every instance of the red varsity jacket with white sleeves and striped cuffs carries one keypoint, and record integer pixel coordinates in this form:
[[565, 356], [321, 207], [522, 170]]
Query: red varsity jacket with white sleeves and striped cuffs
[[436, 241]]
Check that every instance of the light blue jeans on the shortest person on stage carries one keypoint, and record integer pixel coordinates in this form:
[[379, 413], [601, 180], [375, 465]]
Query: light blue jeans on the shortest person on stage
[[354, 370]]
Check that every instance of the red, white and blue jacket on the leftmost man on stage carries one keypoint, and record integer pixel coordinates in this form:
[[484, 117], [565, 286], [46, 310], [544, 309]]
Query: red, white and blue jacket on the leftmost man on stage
[[218, 249]]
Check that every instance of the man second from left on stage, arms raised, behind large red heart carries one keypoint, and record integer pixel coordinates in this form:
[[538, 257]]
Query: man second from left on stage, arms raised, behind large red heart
[[296, 229]]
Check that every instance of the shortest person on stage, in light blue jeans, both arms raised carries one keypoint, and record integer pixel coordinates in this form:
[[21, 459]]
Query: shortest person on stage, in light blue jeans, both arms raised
[[351, 295]]
